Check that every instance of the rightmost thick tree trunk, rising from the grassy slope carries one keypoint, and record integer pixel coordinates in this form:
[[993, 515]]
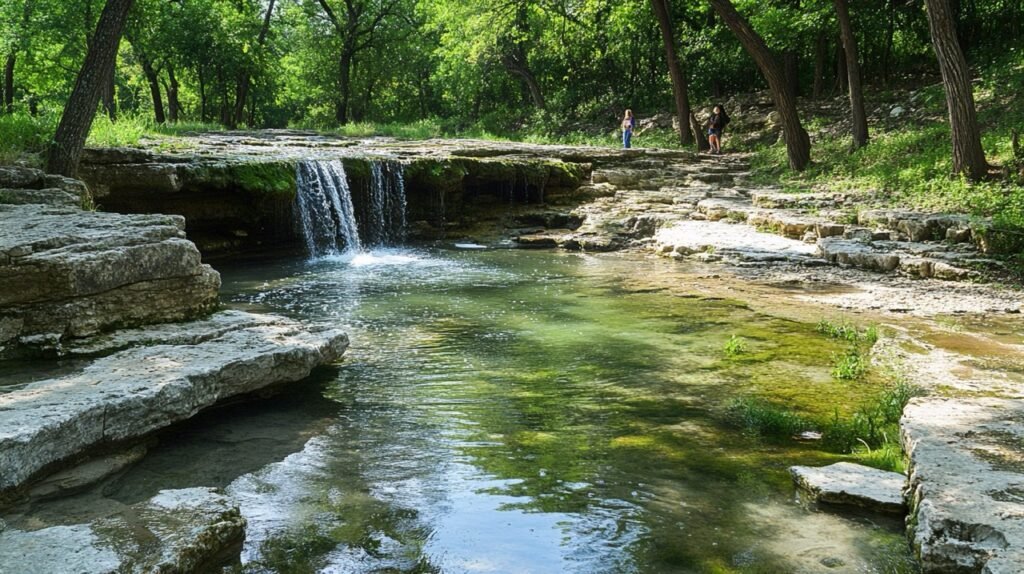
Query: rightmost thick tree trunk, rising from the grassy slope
[[969, 158]]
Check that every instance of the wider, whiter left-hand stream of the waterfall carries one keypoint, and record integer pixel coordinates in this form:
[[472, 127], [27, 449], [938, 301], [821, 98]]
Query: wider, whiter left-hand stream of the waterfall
[[326, 216]]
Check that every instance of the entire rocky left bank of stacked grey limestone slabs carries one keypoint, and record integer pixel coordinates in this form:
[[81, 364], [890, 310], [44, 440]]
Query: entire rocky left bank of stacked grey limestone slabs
[[131, 299]]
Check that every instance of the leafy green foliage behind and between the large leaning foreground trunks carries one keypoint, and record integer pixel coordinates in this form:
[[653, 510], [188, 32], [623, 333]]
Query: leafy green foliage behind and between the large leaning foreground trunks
[[497, 65]]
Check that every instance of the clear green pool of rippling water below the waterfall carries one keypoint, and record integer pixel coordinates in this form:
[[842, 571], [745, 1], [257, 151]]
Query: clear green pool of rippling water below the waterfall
[[529, 412]]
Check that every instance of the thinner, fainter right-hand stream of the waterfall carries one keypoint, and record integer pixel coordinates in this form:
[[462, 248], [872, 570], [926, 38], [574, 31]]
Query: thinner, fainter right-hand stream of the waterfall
[[383, 220]]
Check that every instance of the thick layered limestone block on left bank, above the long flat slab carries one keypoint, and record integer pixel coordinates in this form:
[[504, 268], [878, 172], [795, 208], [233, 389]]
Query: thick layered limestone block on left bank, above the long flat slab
[[68, 274]]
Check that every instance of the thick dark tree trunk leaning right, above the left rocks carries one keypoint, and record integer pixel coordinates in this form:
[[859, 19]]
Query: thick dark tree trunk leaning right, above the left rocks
[[76, 121]]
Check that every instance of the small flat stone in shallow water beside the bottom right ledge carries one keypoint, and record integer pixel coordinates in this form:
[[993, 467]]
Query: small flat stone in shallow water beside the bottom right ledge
[[847, 483]]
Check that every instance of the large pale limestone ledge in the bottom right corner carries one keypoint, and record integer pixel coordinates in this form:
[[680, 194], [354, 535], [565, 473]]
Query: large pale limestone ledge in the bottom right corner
[[967, 483]]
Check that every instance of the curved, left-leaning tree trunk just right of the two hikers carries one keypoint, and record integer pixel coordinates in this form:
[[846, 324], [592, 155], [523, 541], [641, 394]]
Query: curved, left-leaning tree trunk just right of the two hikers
[[798, 145]]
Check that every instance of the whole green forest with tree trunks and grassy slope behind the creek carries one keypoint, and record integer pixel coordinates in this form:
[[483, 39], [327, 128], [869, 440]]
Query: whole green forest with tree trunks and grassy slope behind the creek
[[546, 71]]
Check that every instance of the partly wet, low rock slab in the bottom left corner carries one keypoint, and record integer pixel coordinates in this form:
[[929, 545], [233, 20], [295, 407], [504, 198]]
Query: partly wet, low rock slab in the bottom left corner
[[175, 532]]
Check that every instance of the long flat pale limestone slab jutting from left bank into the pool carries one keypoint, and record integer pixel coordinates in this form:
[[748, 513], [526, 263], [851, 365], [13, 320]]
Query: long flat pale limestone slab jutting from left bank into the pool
[[137, 391]]
